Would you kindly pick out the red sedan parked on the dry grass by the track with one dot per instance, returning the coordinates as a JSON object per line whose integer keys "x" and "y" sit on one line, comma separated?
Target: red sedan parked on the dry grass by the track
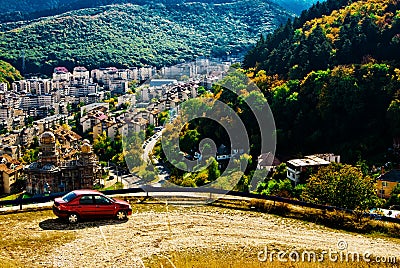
{"x": 85, "y": 204}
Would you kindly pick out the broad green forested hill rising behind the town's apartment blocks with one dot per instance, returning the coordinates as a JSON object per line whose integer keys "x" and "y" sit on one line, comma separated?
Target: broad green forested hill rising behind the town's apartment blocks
{"x": 126, "y": 35}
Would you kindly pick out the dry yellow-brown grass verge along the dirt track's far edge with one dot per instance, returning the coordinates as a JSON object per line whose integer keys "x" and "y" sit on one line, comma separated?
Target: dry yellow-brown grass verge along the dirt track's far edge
{"x": 337, "y": 220}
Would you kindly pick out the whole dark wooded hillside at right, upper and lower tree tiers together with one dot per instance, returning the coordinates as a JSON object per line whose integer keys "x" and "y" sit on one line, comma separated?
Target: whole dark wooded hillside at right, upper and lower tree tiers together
{"x": 333, "y": 81}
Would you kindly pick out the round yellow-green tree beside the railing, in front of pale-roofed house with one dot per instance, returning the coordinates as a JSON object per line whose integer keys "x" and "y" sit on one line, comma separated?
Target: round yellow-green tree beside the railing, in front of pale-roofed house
{"x": 342, "y": 186}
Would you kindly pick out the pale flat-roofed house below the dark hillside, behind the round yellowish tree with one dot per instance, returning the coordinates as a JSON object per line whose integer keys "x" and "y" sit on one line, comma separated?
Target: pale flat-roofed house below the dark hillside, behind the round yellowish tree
{"x": 296, "y": 167}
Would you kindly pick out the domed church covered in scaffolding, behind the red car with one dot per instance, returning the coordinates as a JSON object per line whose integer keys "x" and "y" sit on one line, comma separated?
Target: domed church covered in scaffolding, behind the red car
{"x": 53, "y": 173}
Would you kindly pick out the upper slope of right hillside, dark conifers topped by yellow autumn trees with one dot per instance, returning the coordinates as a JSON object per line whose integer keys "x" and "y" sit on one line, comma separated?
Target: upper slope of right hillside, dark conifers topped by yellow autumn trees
{"x": 346, "y": 35}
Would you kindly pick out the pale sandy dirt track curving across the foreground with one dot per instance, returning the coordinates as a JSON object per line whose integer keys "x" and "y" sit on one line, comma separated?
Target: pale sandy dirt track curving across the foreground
{"x": 113, "y": 244}
